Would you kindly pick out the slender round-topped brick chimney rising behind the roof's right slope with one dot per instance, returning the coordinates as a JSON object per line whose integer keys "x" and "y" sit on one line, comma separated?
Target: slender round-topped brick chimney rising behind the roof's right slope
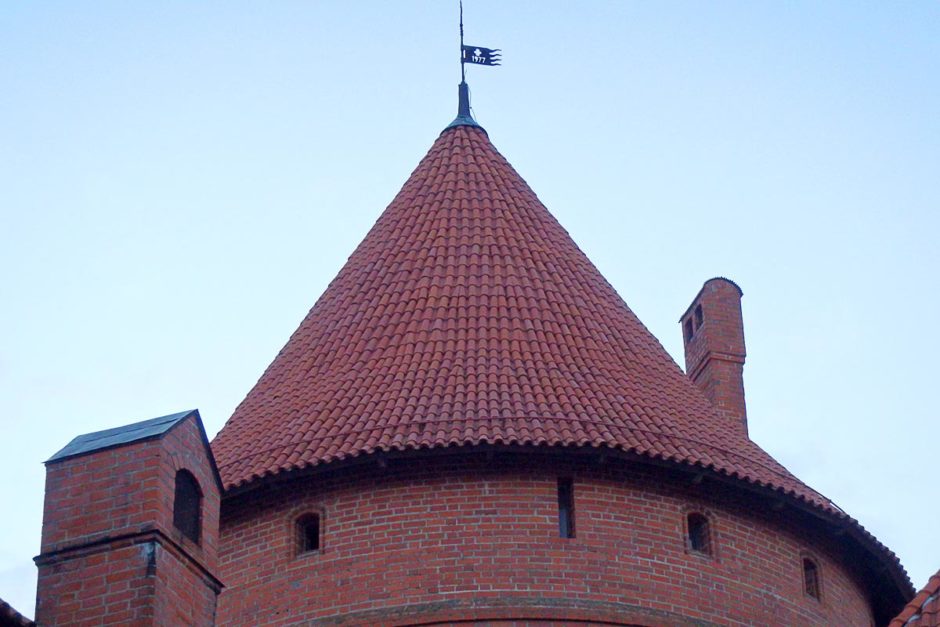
{"x": 713, "y": 334}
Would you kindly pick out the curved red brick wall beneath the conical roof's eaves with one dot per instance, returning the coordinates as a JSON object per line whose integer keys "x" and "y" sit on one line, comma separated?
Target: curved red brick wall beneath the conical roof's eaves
{"x": 457, "y": 538}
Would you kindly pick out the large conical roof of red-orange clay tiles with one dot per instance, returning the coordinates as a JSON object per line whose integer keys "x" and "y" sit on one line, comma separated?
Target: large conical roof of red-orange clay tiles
{"x": 468, "y": 315}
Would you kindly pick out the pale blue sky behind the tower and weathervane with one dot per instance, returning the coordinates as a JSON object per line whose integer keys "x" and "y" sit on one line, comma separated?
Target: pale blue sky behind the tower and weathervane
{"x": 179, "y": 181}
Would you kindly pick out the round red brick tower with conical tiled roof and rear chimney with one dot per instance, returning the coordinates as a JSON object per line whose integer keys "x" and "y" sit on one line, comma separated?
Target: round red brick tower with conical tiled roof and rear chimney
{"x": 471, "y": 425}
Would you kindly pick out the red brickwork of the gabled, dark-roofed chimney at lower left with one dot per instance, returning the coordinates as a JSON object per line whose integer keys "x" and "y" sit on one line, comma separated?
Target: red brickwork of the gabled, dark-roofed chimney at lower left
{"x": 110, "y": 553}
